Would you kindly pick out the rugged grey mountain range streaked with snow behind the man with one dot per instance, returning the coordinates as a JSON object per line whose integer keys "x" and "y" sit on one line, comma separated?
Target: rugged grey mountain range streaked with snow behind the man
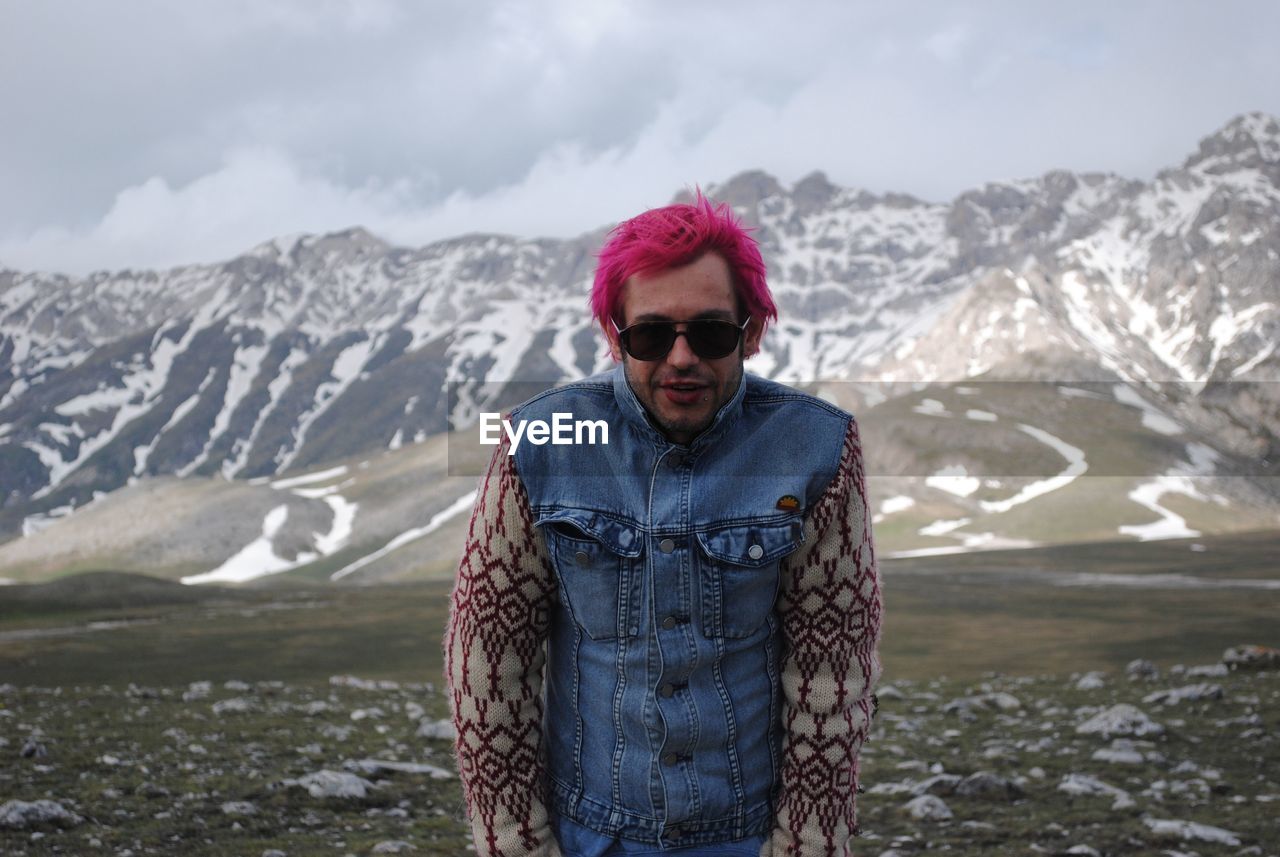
{"x": 318, "y": 350}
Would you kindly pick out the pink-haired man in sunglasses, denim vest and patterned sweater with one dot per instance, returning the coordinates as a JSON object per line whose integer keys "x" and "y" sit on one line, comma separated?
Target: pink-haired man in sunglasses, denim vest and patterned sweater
{"x": 705, "y": 586}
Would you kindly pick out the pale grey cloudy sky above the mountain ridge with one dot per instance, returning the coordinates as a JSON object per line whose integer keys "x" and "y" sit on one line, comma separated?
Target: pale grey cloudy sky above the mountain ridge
{"x": 148, "y": 134}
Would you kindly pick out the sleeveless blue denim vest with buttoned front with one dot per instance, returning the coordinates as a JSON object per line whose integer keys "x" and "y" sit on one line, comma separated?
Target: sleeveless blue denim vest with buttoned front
{"x": 662, "y": 700}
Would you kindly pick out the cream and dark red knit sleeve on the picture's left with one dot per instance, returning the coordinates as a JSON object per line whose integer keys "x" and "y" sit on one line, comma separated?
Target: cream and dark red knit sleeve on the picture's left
{"x": 500, "y": 617}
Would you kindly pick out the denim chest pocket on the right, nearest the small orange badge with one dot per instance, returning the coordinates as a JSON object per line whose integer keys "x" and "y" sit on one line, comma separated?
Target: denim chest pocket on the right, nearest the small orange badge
{"x": 740, "y": 578}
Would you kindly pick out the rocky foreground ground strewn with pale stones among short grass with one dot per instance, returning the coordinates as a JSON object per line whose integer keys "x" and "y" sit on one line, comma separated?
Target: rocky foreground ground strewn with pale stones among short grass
{"x": 1178, "y": 763}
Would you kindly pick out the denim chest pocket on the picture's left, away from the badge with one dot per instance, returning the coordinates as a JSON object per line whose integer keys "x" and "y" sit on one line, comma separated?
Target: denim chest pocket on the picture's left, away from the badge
{"x": 596, "y": 562}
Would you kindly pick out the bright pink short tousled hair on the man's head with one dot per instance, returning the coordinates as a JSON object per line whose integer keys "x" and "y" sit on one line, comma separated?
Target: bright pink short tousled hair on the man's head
{"x": 661, "y": 240}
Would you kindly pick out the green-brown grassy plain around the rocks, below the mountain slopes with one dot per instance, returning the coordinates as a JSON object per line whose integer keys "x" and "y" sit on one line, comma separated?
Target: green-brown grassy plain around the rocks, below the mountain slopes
{"x": 152, "y": 772}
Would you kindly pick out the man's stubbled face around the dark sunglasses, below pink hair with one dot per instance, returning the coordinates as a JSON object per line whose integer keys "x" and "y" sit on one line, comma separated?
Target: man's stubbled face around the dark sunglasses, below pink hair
{"x": 683, "y": 392}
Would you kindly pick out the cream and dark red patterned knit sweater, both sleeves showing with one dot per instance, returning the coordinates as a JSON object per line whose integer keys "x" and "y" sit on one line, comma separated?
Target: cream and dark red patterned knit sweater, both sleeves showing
{"x": 830, "y": 607}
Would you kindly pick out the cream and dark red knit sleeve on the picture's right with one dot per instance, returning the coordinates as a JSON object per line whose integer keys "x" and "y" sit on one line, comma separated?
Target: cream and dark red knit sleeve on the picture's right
{"x": 830, "y": 604}
